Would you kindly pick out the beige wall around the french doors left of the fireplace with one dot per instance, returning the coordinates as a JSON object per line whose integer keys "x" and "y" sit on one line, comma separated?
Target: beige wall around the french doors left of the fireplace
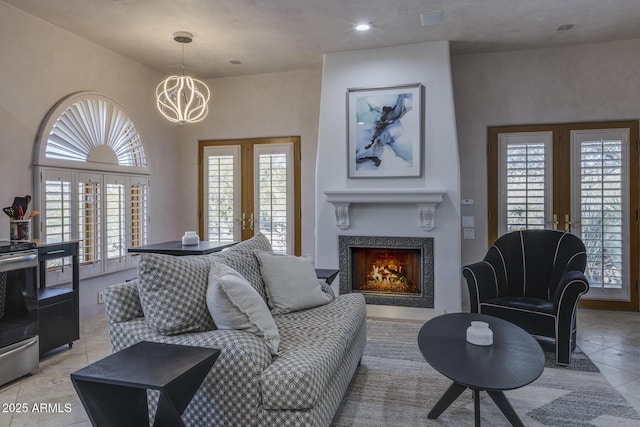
{"x": 267, "y": 105}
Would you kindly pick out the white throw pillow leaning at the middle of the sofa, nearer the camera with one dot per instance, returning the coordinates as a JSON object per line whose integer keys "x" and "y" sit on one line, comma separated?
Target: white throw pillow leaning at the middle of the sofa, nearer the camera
{"x": 235, "y": 304}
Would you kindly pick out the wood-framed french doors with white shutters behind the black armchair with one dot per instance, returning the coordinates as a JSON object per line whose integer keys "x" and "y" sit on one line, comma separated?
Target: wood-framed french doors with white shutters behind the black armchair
{"x": 581, "y": 178}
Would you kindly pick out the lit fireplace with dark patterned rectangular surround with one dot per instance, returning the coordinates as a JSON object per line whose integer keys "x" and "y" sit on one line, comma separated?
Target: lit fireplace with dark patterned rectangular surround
{"x": 388, "y": 270}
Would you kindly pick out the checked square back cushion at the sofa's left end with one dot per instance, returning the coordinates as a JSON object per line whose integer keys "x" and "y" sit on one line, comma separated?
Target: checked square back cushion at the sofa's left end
{"x": 173, "y": 292}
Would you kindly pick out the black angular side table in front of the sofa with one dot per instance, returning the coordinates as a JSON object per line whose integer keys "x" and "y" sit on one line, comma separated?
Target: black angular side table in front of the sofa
{"x": 113, "y": 390}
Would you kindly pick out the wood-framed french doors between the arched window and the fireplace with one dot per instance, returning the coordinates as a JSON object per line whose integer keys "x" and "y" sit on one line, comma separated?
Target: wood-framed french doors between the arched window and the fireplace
{"x": 251, "y": 186}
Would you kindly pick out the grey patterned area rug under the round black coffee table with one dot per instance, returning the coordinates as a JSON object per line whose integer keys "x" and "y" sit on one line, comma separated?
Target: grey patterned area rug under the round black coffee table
{"x": 394, "y": 386}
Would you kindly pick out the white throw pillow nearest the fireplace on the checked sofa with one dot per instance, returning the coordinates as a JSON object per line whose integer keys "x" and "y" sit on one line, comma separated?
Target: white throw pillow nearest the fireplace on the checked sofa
{"x": 291, "y": 283}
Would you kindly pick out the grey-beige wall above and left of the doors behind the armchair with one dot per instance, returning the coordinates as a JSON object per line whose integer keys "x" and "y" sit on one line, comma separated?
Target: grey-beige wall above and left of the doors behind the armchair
{"x": 594, "y": 82}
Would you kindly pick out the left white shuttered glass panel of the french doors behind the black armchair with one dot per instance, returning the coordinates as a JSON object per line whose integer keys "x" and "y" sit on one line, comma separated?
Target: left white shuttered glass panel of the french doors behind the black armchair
{"x": 525, "y": 181}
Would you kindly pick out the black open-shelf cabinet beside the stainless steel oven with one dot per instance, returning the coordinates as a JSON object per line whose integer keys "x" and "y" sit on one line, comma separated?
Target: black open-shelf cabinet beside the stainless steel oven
{"x": 59, "y": 306}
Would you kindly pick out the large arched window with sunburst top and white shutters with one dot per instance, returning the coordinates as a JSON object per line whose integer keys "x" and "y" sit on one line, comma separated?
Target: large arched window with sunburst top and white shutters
{"x": 92, "y": 182}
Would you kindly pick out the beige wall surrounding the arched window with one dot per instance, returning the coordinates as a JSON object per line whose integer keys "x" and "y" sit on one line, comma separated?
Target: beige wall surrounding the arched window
{"x": 39, "y": 65}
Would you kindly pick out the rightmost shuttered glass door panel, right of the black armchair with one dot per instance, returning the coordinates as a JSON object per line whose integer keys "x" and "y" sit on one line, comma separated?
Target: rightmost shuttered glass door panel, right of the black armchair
{"x": 600, "y": 183}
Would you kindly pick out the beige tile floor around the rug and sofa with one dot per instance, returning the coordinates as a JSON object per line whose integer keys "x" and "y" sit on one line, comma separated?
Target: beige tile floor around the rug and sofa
{"x": 611, "y": 339}
